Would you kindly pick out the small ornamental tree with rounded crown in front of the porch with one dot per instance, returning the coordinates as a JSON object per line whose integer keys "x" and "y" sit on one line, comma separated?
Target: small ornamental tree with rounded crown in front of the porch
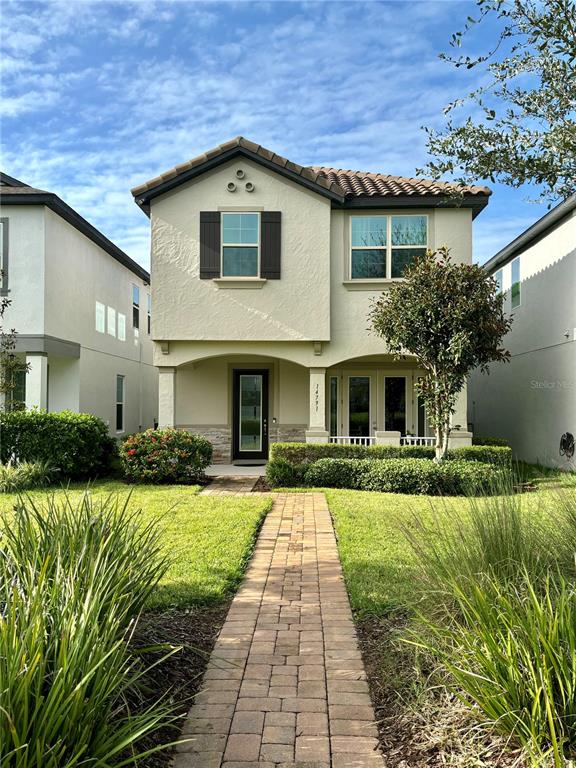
{"x": 450, "y": 318}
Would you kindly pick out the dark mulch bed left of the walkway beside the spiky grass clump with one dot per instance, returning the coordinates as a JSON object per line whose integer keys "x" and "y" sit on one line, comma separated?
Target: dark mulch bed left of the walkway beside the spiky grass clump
{"x": 180, "y": 676}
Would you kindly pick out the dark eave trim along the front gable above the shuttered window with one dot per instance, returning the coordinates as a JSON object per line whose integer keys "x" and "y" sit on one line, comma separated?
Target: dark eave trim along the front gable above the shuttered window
{"x": 143, "y": 199}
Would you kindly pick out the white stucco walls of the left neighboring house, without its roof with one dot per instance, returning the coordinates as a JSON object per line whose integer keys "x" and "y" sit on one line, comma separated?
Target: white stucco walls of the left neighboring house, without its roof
{"x": 56, "y": 276}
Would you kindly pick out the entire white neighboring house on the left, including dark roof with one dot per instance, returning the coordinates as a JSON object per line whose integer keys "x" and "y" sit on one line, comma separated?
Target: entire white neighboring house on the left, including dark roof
{"x": 81, "y": 308}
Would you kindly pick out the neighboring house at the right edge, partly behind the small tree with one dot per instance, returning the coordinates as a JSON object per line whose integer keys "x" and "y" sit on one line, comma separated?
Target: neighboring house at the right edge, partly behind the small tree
{"x": 531, "y": 401}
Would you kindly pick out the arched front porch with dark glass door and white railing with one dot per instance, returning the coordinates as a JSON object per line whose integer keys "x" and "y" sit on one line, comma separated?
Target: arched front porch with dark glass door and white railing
{"x": 242, "y": 404}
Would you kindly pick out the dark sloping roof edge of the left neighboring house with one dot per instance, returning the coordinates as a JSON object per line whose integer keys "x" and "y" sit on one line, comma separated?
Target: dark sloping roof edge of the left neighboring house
{"x": 14, "y": 192}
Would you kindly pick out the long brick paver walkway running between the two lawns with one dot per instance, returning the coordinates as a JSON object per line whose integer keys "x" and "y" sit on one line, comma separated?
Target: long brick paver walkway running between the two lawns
{"x": 285, "y": 685}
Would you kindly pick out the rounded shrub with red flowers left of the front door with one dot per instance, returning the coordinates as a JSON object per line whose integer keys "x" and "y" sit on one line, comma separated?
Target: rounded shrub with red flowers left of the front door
{"x": 165, "y": 456}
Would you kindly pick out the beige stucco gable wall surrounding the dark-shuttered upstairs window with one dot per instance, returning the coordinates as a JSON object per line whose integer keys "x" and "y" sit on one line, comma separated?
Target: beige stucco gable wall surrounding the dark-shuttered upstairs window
{"x": 189, "y": 308}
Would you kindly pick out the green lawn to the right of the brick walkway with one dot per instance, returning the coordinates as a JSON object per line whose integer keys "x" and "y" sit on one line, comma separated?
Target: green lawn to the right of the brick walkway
{"x": 379, "y": 566}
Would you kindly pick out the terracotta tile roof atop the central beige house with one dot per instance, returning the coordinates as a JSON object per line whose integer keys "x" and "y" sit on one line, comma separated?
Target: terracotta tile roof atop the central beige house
{"x": 339, "y": 183}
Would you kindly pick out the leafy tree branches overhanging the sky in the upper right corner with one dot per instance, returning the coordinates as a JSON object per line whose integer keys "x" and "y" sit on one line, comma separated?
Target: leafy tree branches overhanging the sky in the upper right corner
{"x": 522, "y": 126}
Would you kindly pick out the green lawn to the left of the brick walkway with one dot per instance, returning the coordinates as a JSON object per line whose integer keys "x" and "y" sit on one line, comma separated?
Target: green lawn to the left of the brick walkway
{"x": 208, "y": 538}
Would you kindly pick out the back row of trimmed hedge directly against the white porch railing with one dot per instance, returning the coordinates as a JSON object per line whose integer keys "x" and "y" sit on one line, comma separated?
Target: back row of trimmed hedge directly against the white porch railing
{"x": 306, "y": 453}
